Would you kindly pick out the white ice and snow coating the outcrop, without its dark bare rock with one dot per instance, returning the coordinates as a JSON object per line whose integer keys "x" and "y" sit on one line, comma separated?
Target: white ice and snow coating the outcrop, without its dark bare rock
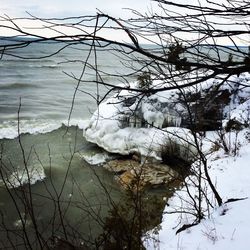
{"x": 127, "y": 122}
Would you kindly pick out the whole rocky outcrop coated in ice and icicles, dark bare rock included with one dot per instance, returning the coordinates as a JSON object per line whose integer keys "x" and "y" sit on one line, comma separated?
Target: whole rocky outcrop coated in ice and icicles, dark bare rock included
{"x": 130, "y": 122}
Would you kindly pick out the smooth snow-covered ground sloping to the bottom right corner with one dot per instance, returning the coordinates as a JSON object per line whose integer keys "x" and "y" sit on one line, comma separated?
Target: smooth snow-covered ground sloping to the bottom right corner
{"x": 228, "y": 226}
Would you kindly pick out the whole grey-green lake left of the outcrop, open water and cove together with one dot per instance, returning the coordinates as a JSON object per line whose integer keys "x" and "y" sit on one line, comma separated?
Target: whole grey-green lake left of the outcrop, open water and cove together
{"x": 48, "y": 153}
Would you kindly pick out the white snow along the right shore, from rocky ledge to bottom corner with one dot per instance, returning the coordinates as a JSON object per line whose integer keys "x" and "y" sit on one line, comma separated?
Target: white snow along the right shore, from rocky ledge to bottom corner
{"x": 226, "y": 227}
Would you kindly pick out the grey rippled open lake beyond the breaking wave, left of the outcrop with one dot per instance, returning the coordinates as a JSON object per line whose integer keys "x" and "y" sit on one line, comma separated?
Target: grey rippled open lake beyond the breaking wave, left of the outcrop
{"x": 45, "y": 89}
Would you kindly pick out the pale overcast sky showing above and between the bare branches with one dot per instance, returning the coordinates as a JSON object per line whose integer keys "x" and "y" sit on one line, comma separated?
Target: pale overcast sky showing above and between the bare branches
{"x": 69, "y": 8}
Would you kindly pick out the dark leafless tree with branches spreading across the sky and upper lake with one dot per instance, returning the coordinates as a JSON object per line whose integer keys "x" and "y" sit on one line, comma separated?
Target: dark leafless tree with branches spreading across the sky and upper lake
{"x": 186, "y": 49}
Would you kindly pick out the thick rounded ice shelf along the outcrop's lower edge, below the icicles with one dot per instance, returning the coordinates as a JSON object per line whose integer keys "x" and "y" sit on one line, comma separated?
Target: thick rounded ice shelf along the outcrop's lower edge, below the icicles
{"x": 147, "y": 142}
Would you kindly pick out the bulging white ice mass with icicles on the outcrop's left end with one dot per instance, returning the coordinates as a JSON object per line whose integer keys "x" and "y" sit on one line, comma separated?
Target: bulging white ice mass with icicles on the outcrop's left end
{"x": 106, "y": 127}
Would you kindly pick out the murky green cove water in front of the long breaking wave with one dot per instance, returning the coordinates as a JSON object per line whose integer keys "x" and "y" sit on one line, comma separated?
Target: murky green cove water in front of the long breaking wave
{"x": 58, "y": 155}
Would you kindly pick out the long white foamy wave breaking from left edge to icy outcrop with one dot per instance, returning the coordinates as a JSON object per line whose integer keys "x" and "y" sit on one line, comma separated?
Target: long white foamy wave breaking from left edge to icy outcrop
{"x": 9, "y": 129}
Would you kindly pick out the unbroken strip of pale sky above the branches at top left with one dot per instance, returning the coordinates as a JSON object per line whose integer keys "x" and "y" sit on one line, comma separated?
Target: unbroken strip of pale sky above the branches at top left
{"x": 65, "y": 8}
